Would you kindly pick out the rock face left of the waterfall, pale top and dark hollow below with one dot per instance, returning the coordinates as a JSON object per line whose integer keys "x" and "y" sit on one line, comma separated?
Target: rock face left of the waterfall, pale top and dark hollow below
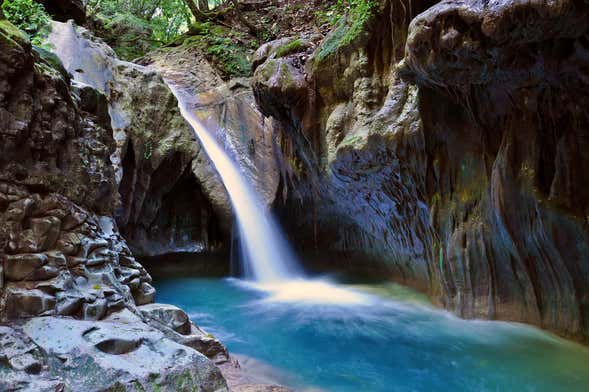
{"x": 163, "y": 205}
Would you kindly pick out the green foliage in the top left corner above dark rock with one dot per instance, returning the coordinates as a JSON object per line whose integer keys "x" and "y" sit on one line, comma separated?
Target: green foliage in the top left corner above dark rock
{"x": 28, "y": 16}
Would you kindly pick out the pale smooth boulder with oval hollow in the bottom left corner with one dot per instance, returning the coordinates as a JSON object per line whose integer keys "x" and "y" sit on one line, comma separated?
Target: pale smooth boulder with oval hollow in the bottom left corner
{"x": 120, "y": 352}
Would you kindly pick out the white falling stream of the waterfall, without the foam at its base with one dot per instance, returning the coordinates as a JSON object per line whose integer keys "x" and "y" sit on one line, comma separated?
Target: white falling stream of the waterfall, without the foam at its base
{"x": 265, "y": 255}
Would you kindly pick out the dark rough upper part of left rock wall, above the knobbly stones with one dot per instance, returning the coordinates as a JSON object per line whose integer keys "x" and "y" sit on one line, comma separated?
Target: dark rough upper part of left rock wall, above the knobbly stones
{"x": 44, "y": 143}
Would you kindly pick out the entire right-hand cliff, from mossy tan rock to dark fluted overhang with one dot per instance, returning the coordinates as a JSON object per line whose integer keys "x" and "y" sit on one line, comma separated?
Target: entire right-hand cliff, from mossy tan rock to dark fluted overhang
{"x": 461, "y": 170}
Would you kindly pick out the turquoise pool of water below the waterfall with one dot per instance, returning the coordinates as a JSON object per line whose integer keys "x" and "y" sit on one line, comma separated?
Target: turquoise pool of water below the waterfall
{"x": 394, "y": 342}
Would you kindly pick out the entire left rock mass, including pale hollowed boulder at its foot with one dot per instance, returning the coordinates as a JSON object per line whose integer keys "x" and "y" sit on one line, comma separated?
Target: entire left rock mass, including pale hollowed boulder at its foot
{"x": 72, "y": 296}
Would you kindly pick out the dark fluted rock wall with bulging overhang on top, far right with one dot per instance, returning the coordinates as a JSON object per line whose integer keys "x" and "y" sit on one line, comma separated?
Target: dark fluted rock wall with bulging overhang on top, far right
{"x": 507, "y": 156}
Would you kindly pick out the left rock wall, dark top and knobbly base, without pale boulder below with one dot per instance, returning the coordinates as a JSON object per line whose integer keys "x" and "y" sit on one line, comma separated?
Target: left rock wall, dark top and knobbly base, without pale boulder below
{"x": 58, "y": 255}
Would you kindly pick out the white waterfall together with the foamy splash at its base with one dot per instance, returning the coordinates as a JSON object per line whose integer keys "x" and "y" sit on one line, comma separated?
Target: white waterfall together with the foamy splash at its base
{"x": 266, "y": 257}
